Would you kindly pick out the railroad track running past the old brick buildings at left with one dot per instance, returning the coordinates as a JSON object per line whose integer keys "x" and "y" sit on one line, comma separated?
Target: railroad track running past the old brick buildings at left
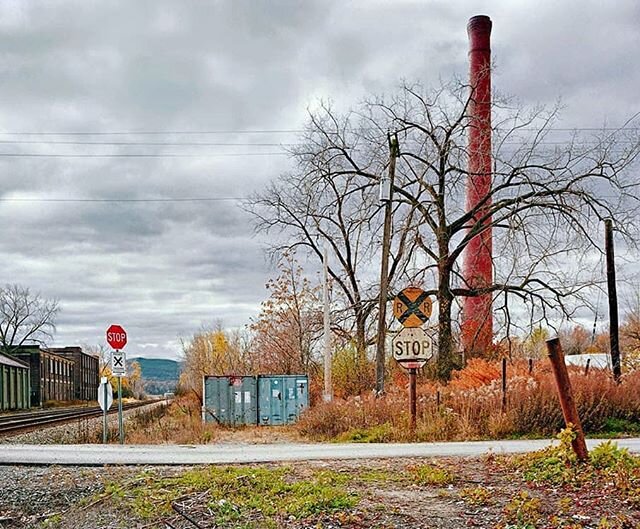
{"x": 17, "y": 422}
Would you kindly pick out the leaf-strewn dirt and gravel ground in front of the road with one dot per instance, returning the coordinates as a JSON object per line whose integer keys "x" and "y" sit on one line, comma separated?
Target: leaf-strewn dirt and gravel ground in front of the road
{"x": 479, "y": 492}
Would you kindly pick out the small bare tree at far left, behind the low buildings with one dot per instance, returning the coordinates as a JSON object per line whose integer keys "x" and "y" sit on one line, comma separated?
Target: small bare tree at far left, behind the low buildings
{"x": 25, "y": 317}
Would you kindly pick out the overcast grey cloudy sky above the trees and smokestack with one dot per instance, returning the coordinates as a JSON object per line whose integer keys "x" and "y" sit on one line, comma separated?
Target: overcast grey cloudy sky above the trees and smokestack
{"x": 163, "y": 269}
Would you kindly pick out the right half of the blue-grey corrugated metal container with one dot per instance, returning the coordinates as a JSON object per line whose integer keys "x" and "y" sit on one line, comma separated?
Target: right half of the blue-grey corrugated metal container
{"x": 282, "y": 398}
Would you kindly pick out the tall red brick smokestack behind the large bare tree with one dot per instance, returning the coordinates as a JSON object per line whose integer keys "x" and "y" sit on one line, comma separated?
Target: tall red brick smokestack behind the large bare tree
{"x": 477, "y": 317}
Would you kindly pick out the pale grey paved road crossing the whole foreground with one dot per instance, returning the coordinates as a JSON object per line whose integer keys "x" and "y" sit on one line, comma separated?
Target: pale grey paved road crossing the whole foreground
{"x": 88, "y": 455}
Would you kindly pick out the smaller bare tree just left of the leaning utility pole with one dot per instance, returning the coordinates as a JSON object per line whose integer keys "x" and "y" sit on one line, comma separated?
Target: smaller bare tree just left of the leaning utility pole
{"x": 324, "y": 203}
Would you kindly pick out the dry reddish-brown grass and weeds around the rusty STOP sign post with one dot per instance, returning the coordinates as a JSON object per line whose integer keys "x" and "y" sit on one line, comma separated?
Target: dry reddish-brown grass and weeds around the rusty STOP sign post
{"x": 471, "y": 407}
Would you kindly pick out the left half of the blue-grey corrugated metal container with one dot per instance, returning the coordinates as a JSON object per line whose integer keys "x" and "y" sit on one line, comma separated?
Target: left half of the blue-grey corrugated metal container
{"x": 230, "y": 400}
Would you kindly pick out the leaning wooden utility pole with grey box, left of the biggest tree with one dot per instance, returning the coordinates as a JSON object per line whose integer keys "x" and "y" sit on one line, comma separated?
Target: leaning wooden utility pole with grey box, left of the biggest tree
{"x": 386, "y": 196}
